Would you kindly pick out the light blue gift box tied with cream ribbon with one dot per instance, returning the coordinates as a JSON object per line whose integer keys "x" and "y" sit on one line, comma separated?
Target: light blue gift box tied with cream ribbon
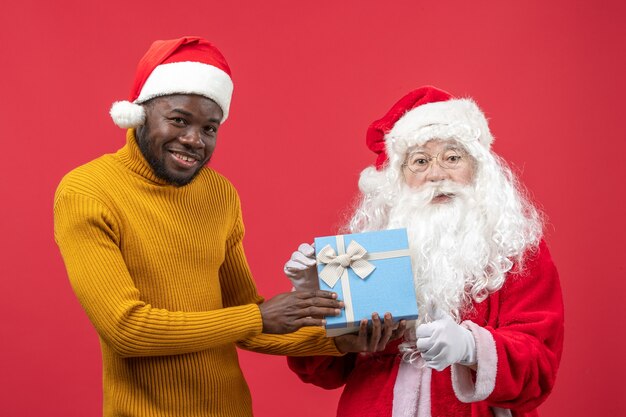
{"x": 371, "y": 272}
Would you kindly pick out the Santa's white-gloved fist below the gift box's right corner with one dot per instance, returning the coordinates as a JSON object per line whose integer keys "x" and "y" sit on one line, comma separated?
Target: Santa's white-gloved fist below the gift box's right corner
{"x": 443, "y": 342}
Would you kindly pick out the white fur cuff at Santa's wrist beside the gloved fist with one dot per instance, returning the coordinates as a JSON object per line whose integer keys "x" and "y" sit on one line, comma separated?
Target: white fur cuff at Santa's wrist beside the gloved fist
{"x": 465, "y": 389}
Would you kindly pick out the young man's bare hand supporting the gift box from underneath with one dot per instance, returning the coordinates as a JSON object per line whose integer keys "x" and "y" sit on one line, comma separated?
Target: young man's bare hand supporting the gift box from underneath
{"x": 374, "y": 341}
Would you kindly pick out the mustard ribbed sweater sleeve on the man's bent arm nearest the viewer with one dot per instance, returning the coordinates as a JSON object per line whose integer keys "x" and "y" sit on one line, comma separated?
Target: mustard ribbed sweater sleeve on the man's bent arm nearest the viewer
{"x": 88, "y": 235}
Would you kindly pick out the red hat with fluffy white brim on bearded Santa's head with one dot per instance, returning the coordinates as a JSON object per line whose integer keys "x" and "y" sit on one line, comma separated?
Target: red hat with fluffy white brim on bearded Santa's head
{"x": 424, "y": 114}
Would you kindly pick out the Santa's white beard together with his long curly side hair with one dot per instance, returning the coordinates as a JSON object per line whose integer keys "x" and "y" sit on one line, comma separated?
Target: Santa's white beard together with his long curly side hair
{"x": 462, "y": 250}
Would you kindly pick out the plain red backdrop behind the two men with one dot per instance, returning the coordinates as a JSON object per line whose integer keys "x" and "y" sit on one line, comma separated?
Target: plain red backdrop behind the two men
{"x": 309, "y": 77}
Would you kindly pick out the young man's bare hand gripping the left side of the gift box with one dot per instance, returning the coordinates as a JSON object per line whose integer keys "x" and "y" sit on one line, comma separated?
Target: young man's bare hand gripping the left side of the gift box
{"x": 286, "y": 313}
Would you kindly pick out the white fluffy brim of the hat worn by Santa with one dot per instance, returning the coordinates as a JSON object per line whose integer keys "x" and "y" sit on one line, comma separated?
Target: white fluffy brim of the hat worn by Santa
{"x": 459, "y": 119}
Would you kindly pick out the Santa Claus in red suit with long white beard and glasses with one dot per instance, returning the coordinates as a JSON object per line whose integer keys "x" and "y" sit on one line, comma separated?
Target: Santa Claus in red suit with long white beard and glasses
{"x": 489, "y": 337}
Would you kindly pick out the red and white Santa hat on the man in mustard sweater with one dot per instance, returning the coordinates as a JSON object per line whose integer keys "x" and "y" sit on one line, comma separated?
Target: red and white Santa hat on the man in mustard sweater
{"x": 188, "y": 65}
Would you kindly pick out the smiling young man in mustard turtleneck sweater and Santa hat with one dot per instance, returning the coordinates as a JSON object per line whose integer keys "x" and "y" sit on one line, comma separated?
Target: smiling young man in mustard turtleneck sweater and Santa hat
{"x": 152, "y": 242}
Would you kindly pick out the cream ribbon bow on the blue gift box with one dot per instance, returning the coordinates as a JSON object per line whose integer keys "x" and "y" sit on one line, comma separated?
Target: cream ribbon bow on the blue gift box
{"x": 355, "y": 258}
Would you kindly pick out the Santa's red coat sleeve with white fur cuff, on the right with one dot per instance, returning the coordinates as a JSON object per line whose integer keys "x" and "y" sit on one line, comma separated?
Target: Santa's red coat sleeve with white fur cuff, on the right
{"x": 519, "y": 351}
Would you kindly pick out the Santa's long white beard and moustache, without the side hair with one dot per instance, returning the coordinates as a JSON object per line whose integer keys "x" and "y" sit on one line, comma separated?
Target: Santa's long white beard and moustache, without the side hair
{"x": 448, "y": 242}
